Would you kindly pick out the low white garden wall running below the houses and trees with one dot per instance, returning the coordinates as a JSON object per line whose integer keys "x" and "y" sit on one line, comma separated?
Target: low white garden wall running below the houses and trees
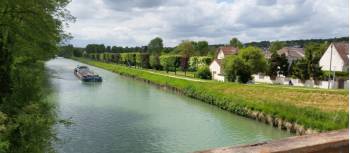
{"x": 296, "y": 82}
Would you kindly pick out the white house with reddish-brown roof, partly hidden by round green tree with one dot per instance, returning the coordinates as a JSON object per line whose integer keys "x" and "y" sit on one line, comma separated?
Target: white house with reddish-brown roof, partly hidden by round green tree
{"x": 215, "y": 66}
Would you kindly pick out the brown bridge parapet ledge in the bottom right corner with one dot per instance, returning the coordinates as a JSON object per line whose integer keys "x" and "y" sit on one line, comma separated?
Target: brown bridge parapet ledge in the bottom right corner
{"x": 329, "y": 142}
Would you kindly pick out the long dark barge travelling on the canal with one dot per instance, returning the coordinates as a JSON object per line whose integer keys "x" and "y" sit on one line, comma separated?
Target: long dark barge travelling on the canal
{"x": 86, "y": 75}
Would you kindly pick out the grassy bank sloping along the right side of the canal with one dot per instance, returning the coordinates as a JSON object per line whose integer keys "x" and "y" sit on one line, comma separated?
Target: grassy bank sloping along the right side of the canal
{"x": 319, "y": 109}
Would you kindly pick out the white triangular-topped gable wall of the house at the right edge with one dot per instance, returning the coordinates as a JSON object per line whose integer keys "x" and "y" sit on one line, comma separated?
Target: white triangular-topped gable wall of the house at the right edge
{"x": 337, "y": 61}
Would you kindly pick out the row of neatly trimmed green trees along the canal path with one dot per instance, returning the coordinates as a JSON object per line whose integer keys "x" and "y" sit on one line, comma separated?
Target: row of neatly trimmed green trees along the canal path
{"x": 164, "y": 62}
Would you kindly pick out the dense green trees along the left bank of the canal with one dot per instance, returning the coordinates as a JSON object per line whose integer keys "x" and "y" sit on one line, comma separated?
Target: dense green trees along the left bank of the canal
{"x": 30, "y": 32}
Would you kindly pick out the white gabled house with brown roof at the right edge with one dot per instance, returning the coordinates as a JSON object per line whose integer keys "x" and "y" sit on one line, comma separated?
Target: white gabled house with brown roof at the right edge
{"x": 339, "y": 53}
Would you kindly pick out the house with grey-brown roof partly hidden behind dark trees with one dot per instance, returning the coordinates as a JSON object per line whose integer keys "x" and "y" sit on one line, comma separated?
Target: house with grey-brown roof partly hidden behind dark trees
{"x": 292, "y": 53}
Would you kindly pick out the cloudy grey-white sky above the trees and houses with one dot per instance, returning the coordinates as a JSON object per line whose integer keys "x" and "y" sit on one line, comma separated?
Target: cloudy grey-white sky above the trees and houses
{"x": 136, "y": 22}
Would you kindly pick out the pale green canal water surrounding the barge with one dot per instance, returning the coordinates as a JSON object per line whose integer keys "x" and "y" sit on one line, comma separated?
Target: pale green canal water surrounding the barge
{"x": 129, "y": 116}
